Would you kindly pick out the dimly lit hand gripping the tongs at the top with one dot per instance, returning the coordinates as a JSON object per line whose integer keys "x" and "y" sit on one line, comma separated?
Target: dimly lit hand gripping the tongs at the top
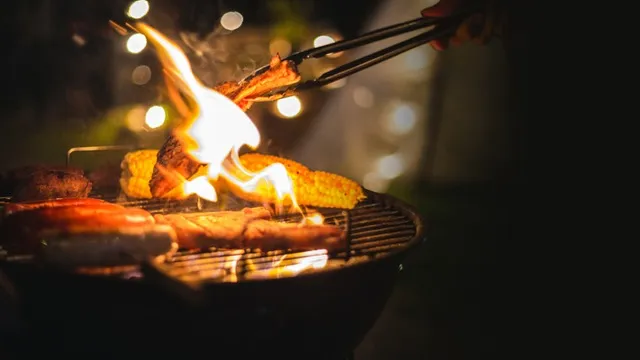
{"x": 476, "y": 27}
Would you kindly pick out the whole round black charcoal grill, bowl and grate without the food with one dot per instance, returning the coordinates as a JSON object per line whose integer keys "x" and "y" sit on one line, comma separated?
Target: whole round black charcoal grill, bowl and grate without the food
{"x": 179, "y": 308}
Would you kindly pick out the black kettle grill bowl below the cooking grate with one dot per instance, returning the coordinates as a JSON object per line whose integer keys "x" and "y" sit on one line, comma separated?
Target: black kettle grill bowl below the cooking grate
{"x": 318, "y": 315}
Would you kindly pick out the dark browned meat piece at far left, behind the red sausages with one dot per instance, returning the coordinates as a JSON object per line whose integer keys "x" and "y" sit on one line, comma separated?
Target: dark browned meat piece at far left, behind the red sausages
{"x": 41, "y": 183}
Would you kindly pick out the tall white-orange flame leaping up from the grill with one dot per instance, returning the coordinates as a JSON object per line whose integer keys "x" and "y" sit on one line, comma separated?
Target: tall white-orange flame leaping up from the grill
{"x": 217, "y": 130}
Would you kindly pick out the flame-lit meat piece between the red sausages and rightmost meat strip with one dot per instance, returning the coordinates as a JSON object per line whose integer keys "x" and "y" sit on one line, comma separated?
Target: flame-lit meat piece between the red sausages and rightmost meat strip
{"x": 216, "y": 229}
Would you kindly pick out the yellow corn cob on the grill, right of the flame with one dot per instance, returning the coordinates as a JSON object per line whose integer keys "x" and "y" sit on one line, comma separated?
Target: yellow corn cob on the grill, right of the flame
{"x": 313, "y": 188}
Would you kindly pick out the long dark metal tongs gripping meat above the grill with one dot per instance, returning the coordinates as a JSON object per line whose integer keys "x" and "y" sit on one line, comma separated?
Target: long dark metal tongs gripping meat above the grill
{"x": 442, "y": 27}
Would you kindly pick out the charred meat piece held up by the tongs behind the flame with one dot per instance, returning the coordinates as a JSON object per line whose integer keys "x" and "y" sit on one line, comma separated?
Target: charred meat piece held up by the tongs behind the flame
{"x": 174, "y": 164}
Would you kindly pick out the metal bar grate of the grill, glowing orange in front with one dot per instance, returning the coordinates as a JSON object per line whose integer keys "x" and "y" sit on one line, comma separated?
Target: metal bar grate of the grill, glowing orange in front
{"x": 373, "y": 228}
